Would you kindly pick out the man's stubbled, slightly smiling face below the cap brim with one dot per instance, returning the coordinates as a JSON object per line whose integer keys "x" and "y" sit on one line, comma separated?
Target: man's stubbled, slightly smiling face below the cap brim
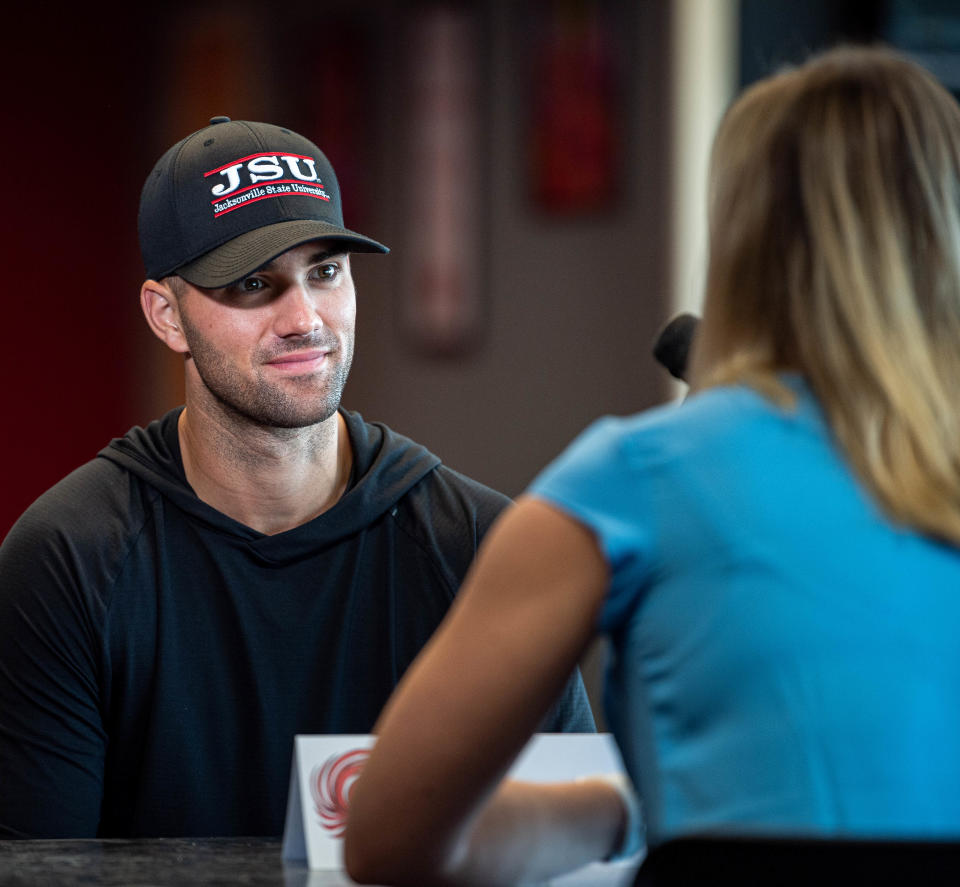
{"x": 276, "y": 347}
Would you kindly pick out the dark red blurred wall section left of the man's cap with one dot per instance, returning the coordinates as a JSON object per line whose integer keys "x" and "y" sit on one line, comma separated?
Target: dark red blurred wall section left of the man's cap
{"x": 73, "y": 108}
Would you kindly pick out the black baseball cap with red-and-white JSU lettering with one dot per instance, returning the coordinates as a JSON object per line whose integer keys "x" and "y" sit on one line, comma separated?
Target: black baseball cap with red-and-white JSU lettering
{"x": 232, "y": 196}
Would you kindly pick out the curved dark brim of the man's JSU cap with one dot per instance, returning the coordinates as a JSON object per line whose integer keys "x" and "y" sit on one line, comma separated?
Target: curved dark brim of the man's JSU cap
{"x": 246, "y": 253}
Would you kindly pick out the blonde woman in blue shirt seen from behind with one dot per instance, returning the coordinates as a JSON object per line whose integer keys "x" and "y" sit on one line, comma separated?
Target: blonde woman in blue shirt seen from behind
{"x": 776, "y": 561}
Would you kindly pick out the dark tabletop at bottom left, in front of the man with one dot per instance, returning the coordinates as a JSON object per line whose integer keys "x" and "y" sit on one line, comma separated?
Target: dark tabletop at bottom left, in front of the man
{"x": 157, "y": 862}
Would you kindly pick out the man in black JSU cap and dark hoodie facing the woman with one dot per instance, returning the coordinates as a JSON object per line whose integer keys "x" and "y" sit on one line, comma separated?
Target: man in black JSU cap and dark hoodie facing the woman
{"x": 256, "y": 564}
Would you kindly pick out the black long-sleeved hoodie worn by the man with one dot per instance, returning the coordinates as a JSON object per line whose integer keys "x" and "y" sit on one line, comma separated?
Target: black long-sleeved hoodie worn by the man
{"x": 157, "y": 657}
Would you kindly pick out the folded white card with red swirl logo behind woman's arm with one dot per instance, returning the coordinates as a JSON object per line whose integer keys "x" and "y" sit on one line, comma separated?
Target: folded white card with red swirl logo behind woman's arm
{"x": 325, "y": 767}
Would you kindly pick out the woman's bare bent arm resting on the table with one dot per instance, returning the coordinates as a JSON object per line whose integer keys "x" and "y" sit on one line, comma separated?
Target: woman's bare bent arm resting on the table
{"x": 466, "y": 708}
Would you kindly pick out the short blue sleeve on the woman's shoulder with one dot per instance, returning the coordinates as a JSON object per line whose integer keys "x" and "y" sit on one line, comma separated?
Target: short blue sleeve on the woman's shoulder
{"x": 597, "y": 481}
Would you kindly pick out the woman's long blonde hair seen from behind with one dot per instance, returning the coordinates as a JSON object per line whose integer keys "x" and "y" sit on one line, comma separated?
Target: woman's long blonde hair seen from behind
{"x": 835, "y": 252}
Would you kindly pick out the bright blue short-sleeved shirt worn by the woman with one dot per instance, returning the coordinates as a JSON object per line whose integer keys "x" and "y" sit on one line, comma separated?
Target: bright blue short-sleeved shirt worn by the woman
{"x": 784, "y": 658}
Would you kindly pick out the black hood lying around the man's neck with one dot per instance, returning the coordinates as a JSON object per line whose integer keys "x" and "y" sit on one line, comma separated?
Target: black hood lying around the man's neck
{"x": 385, "y": 466}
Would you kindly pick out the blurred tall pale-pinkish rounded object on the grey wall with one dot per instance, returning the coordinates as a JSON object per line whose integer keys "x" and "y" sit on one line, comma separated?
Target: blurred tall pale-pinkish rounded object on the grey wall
{"x": 441, "y": 301}
